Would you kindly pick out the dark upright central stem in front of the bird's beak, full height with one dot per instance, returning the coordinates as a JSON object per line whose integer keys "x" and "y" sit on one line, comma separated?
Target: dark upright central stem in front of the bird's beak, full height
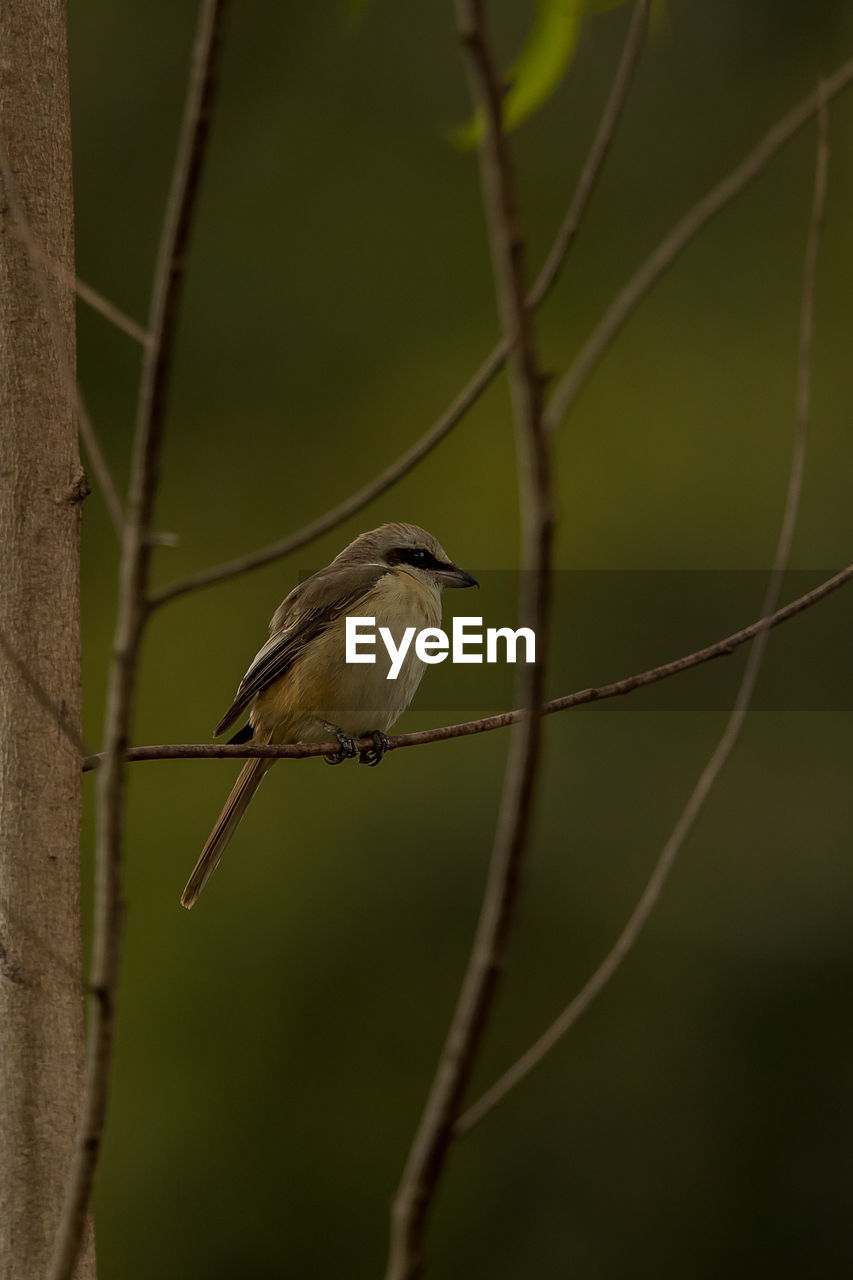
{"x": 425, "y": 1165}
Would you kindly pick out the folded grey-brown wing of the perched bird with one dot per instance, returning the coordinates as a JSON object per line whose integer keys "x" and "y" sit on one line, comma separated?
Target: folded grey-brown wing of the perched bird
{"x": 307, "y": 612}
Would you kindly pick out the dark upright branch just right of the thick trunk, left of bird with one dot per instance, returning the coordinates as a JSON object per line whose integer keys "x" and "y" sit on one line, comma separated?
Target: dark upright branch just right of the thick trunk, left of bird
{"x": 133, "y": 611}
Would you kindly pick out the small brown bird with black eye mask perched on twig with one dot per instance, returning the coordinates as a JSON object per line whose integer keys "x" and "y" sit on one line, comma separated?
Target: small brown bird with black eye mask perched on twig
{"x": 300, "y": 689}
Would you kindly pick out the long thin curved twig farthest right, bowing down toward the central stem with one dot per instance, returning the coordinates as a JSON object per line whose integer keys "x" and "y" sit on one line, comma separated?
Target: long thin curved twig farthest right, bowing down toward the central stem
{"x": 711, "y": 772}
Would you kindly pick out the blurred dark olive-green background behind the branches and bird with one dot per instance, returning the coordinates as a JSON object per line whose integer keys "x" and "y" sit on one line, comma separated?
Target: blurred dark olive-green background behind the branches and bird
{"x": 276, "y": 1045}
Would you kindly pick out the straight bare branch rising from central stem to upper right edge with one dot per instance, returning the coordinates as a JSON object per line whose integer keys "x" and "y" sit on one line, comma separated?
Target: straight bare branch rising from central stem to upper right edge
{"x": 682, "y": 235}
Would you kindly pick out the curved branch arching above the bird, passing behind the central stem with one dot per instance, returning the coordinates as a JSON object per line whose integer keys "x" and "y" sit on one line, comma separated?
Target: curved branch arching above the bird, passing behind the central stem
{"x": 489, "y": 371}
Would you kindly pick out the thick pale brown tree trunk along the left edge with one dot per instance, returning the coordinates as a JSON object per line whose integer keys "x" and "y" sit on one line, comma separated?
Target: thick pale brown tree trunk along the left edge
{"x": 42, "y": 490}
